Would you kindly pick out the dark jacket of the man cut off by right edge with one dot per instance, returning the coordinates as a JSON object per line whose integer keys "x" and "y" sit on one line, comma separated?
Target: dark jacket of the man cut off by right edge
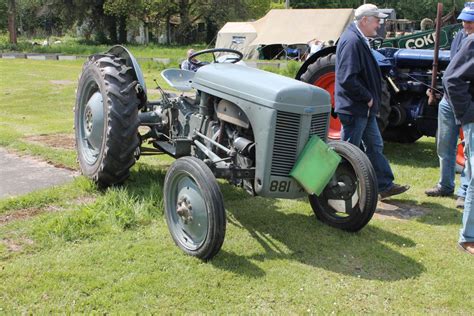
{"x": 458, "y": 82}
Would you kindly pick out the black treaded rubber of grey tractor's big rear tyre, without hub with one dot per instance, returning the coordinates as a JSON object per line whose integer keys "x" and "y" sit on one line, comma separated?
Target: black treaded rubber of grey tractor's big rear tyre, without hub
{"x": 121, "y": 115}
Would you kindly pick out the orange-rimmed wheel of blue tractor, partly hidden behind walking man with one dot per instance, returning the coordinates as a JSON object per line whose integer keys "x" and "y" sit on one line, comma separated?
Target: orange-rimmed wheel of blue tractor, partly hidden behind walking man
{"x": 322, "y": 73}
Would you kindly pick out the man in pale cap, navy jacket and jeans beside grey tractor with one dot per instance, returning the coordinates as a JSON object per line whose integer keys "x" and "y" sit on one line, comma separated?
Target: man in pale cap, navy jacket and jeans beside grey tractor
{"x": 358, "y": 93}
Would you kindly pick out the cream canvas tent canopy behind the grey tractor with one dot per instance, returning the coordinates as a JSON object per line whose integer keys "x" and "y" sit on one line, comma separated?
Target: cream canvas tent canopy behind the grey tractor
{"x": 284, "y": 27}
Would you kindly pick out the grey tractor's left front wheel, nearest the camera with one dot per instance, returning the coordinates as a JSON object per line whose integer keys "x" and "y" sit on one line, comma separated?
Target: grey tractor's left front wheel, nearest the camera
{"x": 194, "y": 208}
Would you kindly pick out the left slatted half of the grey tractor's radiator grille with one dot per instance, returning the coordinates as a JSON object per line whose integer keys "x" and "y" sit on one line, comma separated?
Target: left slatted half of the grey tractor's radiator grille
{"x": 286, "y": 142}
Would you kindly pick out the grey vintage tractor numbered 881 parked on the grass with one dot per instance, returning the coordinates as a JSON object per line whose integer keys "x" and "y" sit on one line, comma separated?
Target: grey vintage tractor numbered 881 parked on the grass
{"x": 236, "y": 123}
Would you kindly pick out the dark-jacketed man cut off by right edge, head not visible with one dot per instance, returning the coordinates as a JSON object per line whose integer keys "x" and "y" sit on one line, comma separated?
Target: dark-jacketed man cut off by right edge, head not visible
{"x": 458, "y": 83}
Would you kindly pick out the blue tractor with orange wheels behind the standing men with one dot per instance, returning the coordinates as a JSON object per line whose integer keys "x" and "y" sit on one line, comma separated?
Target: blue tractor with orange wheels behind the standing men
{"x": 405, "y": 114}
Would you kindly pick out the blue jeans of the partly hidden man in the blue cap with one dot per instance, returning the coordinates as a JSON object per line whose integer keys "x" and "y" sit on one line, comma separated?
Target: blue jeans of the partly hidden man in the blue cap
{"x": 446, "y": 143}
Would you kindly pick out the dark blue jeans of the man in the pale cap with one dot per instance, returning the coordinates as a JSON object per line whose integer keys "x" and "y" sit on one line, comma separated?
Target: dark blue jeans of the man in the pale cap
{"x": 364, "y": 130}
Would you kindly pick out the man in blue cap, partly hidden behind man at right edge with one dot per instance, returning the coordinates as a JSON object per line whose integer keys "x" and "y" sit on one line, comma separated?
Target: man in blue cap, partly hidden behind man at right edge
{"x": 448, "y": 130}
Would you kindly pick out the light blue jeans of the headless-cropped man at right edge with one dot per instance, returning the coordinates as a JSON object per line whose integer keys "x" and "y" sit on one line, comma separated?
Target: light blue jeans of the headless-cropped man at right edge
{"x": 467, "y": 231}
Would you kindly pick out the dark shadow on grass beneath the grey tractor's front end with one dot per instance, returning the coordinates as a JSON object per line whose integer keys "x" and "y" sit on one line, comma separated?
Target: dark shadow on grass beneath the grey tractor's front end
{"x": 294, "y": 233}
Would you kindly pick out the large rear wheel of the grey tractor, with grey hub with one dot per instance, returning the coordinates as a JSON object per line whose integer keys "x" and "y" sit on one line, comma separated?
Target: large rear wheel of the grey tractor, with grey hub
{"x": 106, "y": 120}
